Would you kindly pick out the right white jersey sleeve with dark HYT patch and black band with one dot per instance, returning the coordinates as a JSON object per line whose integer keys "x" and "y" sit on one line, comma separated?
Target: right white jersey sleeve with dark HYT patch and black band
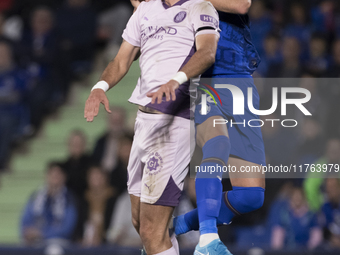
{"x": 205, "y": 19}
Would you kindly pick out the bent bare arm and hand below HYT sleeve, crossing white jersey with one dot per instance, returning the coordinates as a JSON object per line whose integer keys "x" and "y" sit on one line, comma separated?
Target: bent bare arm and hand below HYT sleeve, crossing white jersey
{"x": 204, "y": 57}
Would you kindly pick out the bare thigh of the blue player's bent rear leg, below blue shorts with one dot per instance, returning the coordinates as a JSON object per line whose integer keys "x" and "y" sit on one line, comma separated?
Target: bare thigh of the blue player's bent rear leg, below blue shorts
{"x": 247, "y": 174}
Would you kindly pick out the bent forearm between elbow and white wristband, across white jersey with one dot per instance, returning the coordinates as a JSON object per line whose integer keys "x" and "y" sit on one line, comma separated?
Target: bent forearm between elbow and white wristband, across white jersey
{"x": 199, "y": 63}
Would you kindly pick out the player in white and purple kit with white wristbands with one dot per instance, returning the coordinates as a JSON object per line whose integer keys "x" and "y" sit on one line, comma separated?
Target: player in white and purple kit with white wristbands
{"x": 177, "y": 40}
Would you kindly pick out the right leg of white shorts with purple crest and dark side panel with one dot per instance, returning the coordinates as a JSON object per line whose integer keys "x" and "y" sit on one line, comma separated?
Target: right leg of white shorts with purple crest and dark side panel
{"x": 166, "y": 162}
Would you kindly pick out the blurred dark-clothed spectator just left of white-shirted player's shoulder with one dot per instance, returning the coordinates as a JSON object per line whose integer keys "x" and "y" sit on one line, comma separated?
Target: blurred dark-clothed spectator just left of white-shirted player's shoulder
{"x": 112, "y": 21}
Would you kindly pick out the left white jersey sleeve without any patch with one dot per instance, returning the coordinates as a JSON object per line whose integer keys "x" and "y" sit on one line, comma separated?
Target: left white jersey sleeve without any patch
{"x": 132, "y": 32}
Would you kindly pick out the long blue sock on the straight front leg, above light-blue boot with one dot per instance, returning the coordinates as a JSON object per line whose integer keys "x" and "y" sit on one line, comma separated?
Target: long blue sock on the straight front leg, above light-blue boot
{"x": 208, "y": 182}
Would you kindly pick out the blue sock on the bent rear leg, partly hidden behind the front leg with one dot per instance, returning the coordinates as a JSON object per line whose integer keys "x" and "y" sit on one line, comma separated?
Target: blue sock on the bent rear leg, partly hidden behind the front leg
{"x": 241, "y": 200}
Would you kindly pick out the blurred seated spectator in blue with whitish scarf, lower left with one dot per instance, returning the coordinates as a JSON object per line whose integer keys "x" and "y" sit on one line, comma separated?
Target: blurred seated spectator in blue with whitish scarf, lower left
{"x": 51, "y": 212}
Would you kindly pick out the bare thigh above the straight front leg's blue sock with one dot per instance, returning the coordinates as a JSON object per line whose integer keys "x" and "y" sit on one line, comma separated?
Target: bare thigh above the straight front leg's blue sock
{"x": 207, "y": 130}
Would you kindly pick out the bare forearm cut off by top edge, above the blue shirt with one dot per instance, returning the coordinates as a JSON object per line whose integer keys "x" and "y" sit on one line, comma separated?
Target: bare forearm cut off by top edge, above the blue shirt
{"x": 232, "y": 6}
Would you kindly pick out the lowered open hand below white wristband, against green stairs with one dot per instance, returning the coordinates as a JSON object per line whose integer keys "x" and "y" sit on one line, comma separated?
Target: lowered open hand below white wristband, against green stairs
{"x": 92, "y": 104}
